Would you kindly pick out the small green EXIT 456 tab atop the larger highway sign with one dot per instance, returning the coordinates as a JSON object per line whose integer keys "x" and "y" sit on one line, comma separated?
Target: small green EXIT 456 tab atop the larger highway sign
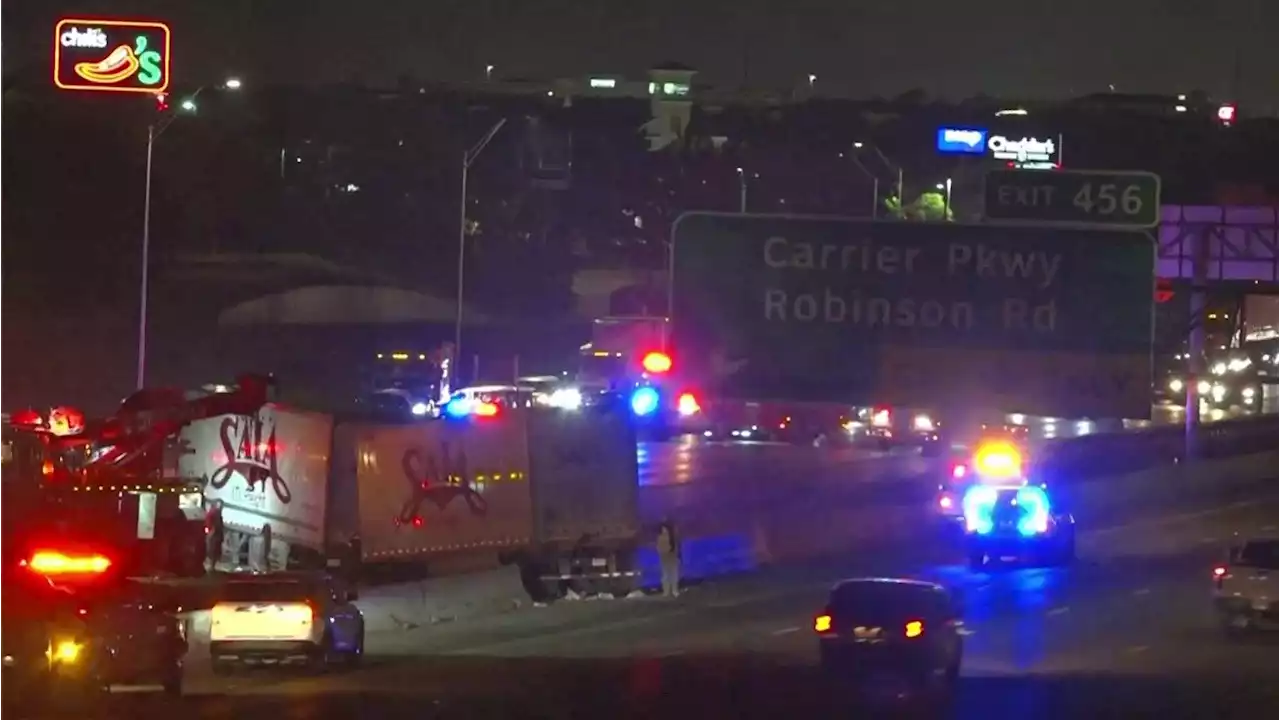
{"x": 1077, "y": 198}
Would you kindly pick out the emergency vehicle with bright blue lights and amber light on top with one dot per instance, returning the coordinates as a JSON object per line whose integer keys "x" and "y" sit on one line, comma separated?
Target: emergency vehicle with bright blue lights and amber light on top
{"x": 1009, "y": 517}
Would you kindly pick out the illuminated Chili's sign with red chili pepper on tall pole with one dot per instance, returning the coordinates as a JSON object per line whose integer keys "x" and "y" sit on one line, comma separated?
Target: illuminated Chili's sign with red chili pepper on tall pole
{"x": 112, "y": 56}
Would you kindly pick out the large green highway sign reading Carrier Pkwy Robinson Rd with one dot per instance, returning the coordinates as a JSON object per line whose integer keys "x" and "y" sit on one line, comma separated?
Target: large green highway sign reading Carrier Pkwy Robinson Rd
{"x": 1041, "y": 321}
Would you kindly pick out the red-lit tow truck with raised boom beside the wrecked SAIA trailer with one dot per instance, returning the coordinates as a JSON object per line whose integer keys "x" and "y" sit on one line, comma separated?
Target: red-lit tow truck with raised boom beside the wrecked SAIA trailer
{"x": 109, "y": 480}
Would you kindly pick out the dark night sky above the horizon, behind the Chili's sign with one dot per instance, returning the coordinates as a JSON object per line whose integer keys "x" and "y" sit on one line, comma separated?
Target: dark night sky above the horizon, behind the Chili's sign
{"x": 952, "y": 49}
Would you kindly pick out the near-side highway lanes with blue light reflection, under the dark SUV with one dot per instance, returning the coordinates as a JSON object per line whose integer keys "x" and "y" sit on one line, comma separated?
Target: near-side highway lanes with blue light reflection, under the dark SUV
{"x": 1124, "y": 634}
